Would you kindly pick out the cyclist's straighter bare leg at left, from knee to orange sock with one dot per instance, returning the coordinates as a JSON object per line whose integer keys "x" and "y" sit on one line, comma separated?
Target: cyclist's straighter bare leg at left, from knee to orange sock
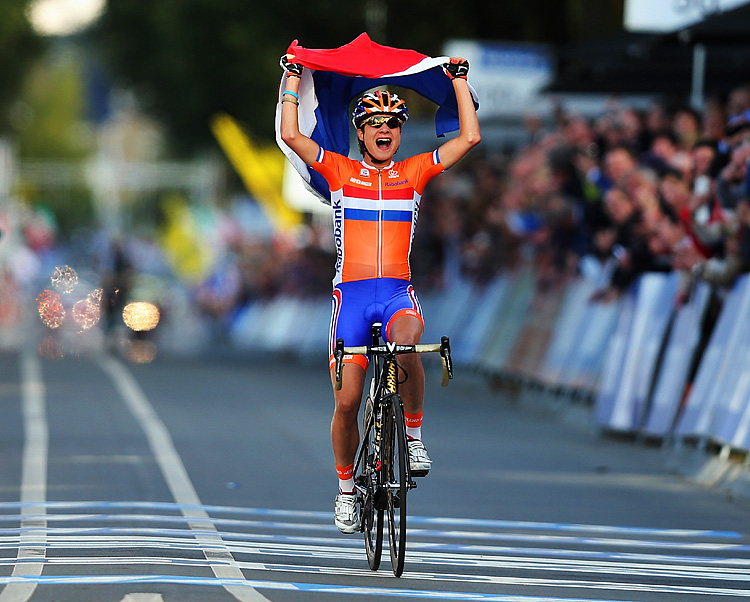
{"x": 344, "y": 425}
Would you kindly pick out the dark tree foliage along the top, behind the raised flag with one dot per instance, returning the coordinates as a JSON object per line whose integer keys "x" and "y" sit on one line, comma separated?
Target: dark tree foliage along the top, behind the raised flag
{"x": 189, "y": 59}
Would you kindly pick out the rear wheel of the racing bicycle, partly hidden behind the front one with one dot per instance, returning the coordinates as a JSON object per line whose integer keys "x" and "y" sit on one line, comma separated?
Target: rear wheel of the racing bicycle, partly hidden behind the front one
{"x": 371, "y": 517}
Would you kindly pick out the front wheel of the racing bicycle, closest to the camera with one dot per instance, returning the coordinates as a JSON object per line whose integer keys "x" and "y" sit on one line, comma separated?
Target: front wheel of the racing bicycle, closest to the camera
{"x": 397, "y": 457}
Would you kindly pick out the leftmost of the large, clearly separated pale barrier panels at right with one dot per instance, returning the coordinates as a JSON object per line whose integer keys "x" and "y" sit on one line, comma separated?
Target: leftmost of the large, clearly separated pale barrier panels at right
{"x": 644, "y": 336}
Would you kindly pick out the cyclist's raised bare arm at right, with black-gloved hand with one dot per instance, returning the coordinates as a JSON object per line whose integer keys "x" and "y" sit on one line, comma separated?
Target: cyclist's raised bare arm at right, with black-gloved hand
{"x": 469, "y": 136}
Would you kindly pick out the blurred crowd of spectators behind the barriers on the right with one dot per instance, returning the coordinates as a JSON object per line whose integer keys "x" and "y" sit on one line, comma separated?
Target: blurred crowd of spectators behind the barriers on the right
{"x": 658, "y": 189}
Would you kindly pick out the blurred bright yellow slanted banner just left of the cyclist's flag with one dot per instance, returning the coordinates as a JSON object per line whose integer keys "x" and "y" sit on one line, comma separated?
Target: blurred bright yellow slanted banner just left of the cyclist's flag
{"x": 261, "y": 170}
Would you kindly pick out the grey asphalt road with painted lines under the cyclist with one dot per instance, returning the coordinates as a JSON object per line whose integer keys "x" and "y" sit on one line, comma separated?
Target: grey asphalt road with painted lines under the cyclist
{"x": 209, "y": 479}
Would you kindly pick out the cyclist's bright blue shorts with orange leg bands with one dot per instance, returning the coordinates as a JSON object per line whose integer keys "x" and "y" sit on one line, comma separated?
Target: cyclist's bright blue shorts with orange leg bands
{"x": 358, "y": 304}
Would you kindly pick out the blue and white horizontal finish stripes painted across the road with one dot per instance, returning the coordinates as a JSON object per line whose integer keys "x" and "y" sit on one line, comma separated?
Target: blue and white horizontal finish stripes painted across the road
{"x": 428, "y": 561}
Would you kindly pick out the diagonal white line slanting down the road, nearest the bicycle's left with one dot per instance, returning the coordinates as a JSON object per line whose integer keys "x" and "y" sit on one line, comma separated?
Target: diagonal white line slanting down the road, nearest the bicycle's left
{"x": 215, "y": 550}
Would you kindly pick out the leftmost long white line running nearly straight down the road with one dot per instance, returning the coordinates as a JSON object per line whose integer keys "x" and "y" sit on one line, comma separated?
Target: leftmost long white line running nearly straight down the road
{"x": 31, "y": 547}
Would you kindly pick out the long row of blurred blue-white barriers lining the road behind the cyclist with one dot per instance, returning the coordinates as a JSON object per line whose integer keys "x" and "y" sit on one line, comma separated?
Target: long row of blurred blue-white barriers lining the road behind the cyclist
{"x": 632, "y": 358}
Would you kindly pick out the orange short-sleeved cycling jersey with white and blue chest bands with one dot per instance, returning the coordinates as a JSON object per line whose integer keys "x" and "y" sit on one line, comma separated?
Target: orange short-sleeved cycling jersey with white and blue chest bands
{"x": 375, "y": 212}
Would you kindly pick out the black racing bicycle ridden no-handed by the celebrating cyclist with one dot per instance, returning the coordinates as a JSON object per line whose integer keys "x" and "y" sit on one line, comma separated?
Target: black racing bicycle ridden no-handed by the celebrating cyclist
{"x": 381, "y": 468}
